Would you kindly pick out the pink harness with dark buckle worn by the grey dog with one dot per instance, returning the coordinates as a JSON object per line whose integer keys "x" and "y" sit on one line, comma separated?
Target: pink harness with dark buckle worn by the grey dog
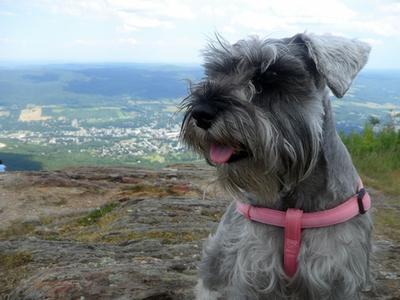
{"x": 293, "y": 220}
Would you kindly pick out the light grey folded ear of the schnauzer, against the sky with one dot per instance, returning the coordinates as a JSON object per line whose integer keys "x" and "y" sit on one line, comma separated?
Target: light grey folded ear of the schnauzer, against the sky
{"x": 337, "y": 59}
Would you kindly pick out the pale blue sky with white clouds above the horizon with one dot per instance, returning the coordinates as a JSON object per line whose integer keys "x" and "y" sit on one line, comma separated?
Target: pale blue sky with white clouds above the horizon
{"x": 173, "y": 31}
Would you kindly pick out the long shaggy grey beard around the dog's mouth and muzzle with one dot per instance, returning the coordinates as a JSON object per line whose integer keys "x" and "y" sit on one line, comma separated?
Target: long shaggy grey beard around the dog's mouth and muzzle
{"x": 252, "y": 165}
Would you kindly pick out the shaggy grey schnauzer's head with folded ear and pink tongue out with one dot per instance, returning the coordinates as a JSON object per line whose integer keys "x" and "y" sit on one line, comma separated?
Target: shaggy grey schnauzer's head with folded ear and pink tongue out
{"x": 258, "y": 114}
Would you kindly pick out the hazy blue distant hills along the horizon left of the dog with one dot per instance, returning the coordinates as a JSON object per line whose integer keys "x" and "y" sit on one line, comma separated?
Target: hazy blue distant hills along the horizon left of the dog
{"x": 90, "y": 84}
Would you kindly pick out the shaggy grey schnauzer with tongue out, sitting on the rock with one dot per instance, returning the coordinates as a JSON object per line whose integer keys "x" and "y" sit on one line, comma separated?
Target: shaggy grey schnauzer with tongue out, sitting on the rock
{"x": 262, "y": 116}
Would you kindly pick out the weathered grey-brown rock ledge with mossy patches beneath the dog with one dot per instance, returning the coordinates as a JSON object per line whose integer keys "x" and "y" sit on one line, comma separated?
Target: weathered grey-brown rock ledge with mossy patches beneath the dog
{"x": 129, "y": 233}
